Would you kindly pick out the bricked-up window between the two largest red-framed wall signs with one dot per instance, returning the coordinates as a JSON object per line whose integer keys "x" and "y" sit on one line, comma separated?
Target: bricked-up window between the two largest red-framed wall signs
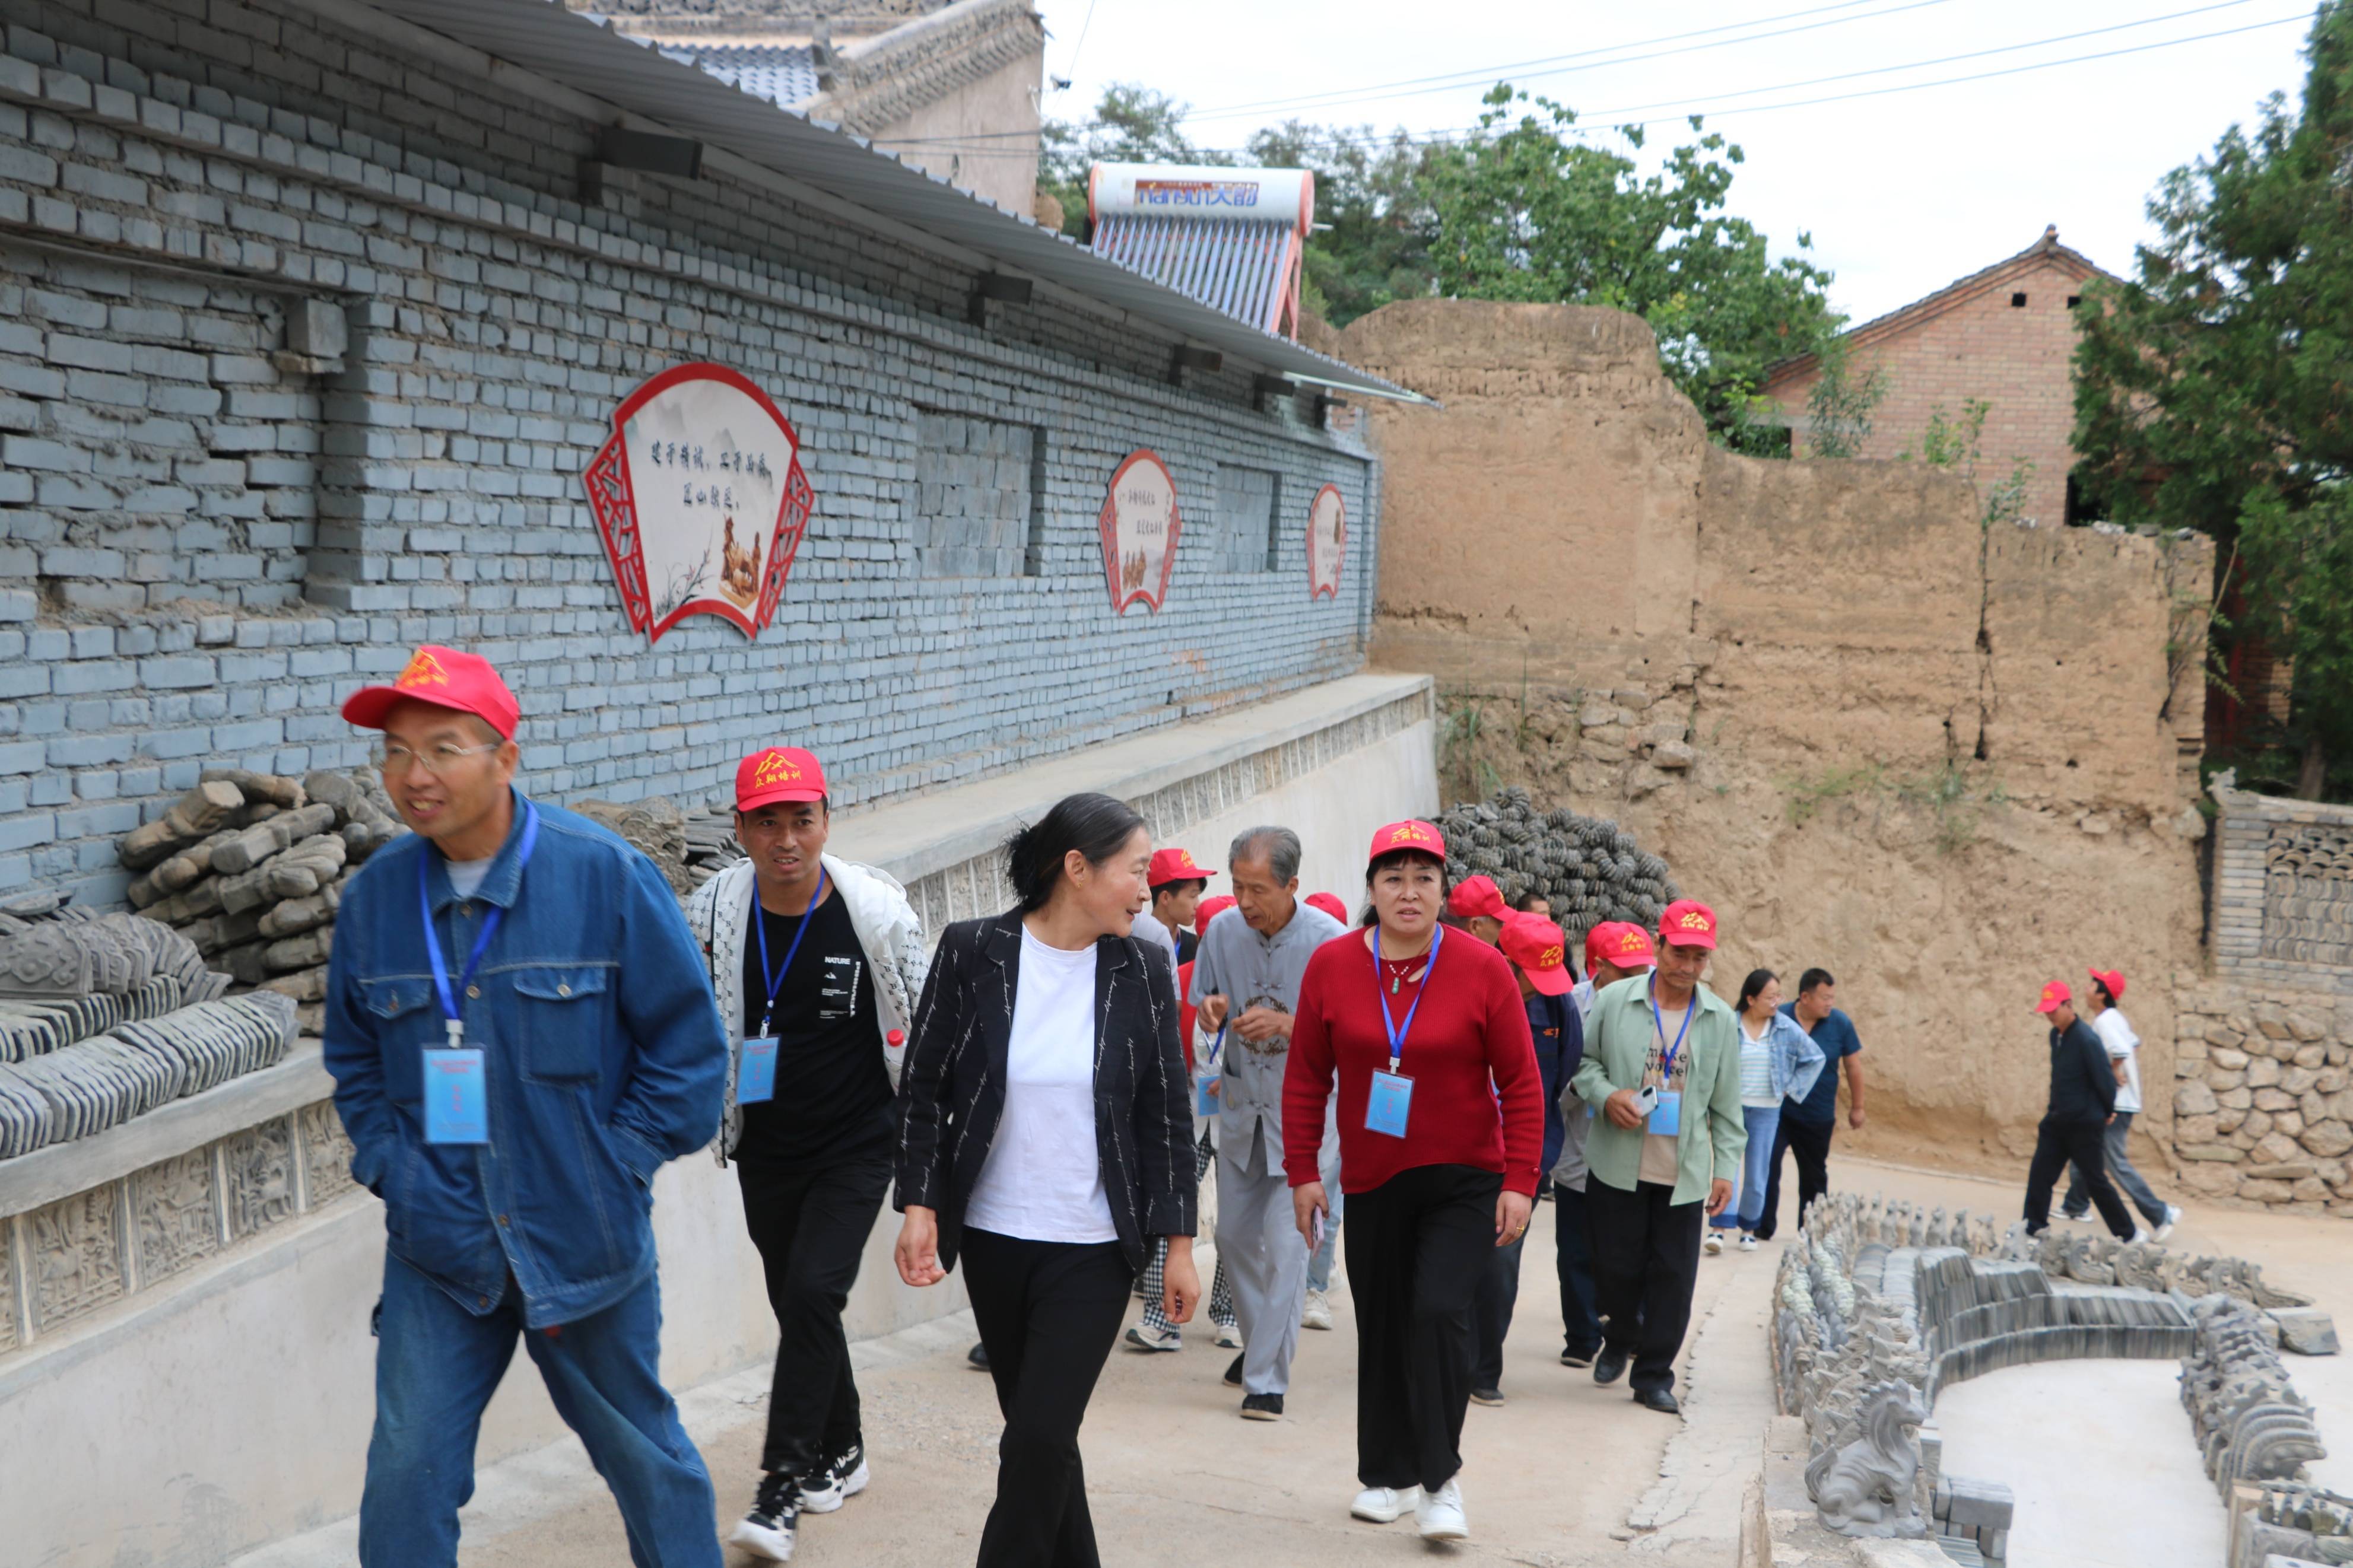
{"x": 978, "y": 497}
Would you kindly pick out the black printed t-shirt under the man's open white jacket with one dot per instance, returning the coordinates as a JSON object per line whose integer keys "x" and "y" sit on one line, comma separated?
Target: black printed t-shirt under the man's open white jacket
{"x": 834, "y": 1099}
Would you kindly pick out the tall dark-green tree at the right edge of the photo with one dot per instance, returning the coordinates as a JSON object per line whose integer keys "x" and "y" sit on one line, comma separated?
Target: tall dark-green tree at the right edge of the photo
{"x": 2215, "y": 389}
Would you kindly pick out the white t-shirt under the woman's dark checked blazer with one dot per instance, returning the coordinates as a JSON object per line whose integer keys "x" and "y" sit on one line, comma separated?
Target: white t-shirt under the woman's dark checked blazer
{"x": 1044, "y": 1179}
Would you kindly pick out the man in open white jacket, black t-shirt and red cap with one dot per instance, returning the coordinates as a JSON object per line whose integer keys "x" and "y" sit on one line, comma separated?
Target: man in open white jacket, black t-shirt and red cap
{"x": 818, "y": 967}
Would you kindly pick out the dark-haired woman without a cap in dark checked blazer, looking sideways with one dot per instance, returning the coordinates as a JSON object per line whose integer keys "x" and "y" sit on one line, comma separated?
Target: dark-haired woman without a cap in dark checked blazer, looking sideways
{"x": 1046, "y": 1137}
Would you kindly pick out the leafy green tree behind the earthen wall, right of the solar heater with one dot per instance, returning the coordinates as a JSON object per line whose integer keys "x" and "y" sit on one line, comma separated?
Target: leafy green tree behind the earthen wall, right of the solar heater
{"x": 1526, "y": 210}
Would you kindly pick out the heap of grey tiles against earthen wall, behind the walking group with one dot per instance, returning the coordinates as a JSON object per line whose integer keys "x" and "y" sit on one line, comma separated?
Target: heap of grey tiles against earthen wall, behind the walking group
{"x": 1589, "y": 869}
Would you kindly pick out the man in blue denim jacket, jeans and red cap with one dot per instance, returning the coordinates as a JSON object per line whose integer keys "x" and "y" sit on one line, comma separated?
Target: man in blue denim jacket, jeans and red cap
{"x": 585, "y": 1050}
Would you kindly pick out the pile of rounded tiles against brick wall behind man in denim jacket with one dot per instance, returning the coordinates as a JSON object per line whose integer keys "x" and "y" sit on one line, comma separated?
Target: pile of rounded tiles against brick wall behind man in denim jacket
{"x": 253, "y": 866}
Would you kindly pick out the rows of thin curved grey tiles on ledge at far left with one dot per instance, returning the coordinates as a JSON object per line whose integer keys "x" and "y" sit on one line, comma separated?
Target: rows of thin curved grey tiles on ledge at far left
{"x": 107, "y": 1017}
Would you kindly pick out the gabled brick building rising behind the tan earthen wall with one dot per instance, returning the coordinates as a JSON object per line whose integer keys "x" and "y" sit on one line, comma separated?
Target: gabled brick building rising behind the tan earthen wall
{"x": 2006, "y": 335}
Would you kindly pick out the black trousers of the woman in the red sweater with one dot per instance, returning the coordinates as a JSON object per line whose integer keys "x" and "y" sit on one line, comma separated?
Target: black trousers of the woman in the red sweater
{"x": 1418, "y": 1249}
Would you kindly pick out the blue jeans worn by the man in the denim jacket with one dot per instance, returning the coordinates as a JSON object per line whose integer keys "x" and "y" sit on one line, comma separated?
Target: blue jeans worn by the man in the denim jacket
{"x": 439, "y": 1367}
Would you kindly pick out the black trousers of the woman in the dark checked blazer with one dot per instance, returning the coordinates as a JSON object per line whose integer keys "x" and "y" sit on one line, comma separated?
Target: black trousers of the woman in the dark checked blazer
{"x": 1048, "y": 1313}
